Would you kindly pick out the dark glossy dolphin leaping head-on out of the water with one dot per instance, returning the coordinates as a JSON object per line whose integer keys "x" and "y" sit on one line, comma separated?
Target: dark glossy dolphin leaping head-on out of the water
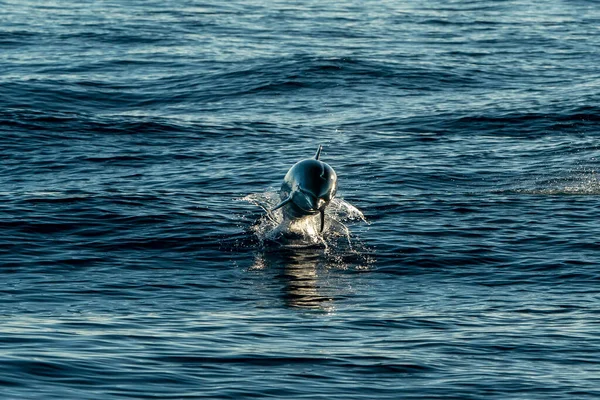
{"x": 308, "y": 187}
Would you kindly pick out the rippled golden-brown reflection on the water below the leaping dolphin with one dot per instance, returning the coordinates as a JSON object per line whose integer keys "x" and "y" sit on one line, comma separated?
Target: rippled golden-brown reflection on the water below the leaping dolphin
{"x": 299, "y": 270}
